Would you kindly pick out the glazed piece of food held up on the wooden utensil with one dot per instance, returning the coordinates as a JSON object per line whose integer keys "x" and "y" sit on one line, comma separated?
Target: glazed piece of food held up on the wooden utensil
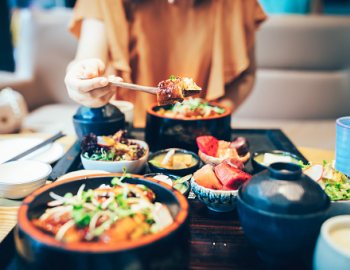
{"x": 175, "y": 89}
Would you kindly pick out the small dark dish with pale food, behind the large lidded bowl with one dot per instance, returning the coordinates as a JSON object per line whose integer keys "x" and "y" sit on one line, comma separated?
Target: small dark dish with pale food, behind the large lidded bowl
{"x": 260, "y": 166}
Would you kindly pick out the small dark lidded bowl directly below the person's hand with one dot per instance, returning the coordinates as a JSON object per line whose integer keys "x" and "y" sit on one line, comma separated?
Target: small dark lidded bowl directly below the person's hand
{"x": 105, "y": 120}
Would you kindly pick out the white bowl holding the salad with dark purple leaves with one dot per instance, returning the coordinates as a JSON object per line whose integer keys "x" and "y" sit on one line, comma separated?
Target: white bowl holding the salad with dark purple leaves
{"x": 131, "y": 166}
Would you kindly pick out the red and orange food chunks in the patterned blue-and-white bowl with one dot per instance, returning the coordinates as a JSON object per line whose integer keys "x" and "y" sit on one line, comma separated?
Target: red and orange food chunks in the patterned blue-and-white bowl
{"x": 225, "y": 176}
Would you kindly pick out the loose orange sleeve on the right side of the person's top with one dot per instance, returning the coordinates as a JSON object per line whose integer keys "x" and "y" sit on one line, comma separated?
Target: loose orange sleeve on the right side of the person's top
{"x": 234, "y": 36}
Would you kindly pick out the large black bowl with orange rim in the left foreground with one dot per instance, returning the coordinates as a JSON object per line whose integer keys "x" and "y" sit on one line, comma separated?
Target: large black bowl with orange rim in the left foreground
{"x": 167, "y": 249}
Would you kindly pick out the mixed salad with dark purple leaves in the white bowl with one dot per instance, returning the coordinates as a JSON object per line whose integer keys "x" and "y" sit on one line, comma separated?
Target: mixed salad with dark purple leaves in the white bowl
{"x": 111, "y": 148}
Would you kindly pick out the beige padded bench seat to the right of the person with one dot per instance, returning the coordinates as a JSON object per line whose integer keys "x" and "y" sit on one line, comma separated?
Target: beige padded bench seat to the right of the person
{"x": 303, "y": 78}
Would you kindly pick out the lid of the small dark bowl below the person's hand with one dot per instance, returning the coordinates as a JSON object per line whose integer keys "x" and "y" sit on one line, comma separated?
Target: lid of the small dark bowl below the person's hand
{"x": 106, "y": 113}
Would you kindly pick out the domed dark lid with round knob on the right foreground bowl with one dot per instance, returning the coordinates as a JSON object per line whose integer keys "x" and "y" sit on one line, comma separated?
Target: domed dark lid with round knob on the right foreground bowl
{"x": 284, "y": 189}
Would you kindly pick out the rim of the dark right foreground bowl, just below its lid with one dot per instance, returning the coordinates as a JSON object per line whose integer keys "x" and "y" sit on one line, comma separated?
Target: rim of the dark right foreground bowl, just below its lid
{"x": 278, "y": 215}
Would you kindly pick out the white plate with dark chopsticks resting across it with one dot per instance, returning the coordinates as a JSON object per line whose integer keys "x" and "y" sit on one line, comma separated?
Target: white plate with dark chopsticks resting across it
{"x": 10, "y": 148}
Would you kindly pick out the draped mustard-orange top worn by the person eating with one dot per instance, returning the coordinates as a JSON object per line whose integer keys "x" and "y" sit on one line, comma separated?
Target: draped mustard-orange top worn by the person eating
{"x": 153, "y": 39}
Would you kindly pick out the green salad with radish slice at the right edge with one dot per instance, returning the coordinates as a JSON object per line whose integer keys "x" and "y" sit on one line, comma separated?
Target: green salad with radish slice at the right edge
{"x": 335, "y": 183}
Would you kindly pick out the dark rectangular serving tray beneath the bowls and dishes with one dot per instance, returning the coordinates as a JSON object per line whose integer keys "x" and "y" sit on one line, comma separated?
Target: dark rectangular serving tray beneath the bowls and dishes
{"x": 217, "y": 239}
